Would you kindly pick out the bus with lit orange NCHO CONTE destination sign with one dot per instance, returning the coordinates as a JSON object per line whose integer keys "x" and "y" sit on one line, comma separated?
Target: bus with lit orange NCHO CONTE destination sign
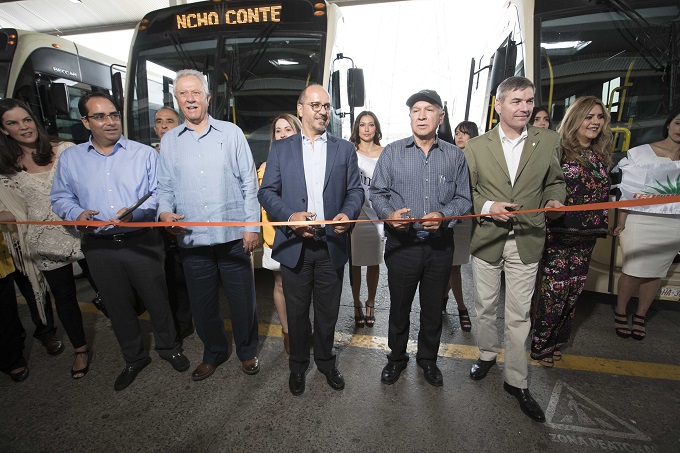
{"x": 257, "y": 57}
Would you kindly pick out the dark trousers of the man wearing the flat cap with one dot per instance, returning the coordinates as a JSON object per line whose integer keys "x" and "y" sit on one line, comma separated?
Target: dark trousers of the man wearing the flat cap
{"x": 412, "y": 263}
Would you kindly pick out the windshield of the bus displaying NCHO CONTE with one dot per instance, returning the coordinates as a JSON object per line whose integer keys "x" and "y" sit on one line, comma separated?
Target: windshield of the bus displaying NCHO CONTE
{"x": 252, "y": 79}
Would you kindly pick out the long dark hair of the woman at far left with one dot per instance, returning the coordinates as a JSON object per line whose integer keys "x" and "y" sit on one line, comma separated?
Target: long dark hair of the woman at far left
{"x": 10, "y": 151}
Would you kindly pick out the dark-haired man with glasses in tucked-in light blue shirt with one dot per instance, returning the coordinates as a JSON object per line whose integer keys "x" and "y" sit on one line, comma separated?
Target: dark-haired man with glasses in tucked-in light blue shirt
{"x": 99, "y": 179}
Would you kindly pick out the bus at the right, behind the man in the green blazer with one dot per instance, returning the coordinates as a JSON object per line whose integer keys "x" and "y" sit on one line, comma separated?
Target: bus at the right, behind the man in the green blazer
{"x": 625, "y": 52}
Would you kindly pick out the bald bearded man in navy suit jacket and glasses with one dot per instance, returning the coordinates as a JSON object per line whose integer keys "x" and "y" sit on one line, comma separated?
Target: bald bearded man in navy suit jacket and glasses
{"x": 312, "y": 176}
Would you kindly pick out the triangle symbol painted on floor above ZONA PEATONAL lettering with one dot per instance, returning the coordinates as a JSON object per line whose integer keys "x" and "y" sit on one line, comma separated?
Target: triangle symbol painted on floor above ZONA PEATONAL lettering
{"x": 570, "y": 410}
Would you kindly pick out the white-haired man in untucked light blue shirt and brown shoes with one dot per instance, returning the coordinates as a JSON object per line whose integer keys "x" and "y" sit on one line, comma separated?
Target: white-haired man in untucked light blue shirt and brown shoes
{"x": 206, "y": 173}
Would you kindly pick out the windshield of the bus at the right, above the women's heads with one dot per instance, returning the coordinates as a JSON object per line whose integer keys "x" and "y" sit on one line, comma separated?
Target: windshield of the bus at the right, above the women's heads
{"x": 621, "y": 57}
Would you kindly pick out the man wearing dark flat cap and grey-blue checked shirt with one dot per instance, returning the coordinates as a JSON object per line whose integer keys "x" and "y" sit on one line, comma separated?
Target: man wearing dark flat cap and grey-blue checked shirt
{"x": 419, "y": 177}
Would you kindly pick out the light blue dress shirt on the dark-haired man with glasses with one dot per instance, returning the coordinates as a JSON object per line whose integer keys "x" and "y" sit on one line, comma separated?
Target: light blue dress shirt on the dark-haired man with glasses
{"x": 86, "y": 179}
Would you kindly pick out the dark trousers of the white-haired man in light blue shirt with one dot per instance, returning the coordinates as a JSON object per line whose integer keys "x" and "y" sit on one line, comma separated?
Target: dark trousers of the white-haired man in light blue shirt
{"x": 204, "y": 267}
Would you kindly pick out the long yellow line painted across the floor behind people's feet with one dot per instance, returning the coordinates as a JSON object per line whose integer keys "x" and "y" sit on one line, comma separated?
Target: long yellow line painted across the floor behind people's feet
{"x": 467, "y": 352}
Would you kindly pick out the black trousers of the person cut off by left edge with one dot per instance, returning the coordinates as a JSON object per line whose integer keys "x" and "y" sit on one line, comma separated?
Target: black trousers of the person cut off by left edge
{"x": 11, "y": 338}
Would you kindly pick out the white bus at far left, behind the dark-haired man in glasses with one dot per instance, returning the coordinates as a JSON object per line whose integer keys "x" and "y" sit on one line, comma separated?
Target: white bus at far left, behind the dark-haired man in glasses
{"x": 50, "y": 74}
